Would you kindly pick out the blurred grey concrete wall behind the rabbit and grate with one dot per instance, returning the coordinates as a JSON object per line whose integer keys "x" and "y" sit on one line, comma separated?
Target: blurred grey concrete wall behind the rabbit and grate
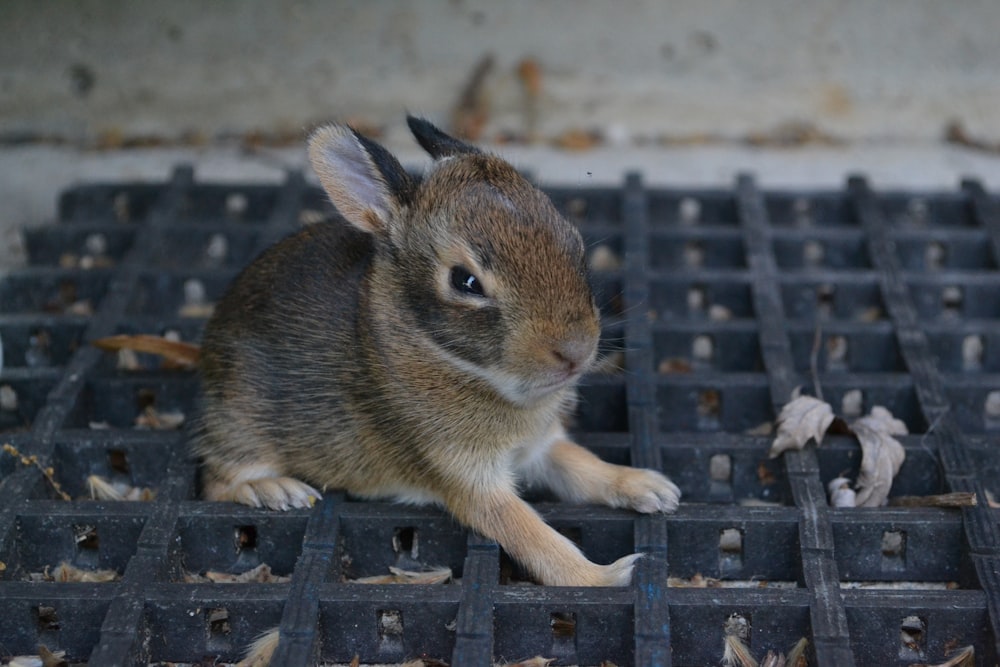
{"x": 685, "y": 70}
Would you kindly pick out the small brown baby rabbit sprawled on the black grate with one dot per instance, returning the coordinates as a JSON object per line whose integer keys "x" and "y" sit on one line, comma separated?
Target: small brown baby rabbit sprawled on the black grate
{"x": 425, "y": 350}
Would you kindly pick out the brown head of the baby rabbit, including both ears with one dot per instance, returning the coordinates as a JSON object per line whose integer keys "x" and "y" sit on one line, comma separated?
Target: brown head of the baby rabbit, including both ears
{"x": 472, "y": 259}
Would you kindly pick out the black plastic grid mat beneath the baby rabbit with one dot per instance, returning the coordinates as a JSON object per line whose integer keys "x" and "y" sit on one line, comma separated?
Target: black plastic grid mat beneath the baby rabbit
{"x": 712, "y": 300}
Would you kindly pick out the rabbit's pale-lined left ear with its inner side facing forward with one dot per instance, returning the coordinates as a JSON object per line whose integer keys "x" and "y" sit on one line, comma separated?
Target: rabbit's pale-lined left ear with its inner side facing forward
{"x": 364, "y": 181}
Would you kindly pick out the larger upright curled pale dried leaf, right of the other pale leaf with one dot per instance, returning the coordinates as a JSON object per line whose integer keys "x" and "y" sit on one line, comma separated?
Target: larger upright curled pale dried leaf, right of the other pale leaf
{"x": 881, "y": 455}
